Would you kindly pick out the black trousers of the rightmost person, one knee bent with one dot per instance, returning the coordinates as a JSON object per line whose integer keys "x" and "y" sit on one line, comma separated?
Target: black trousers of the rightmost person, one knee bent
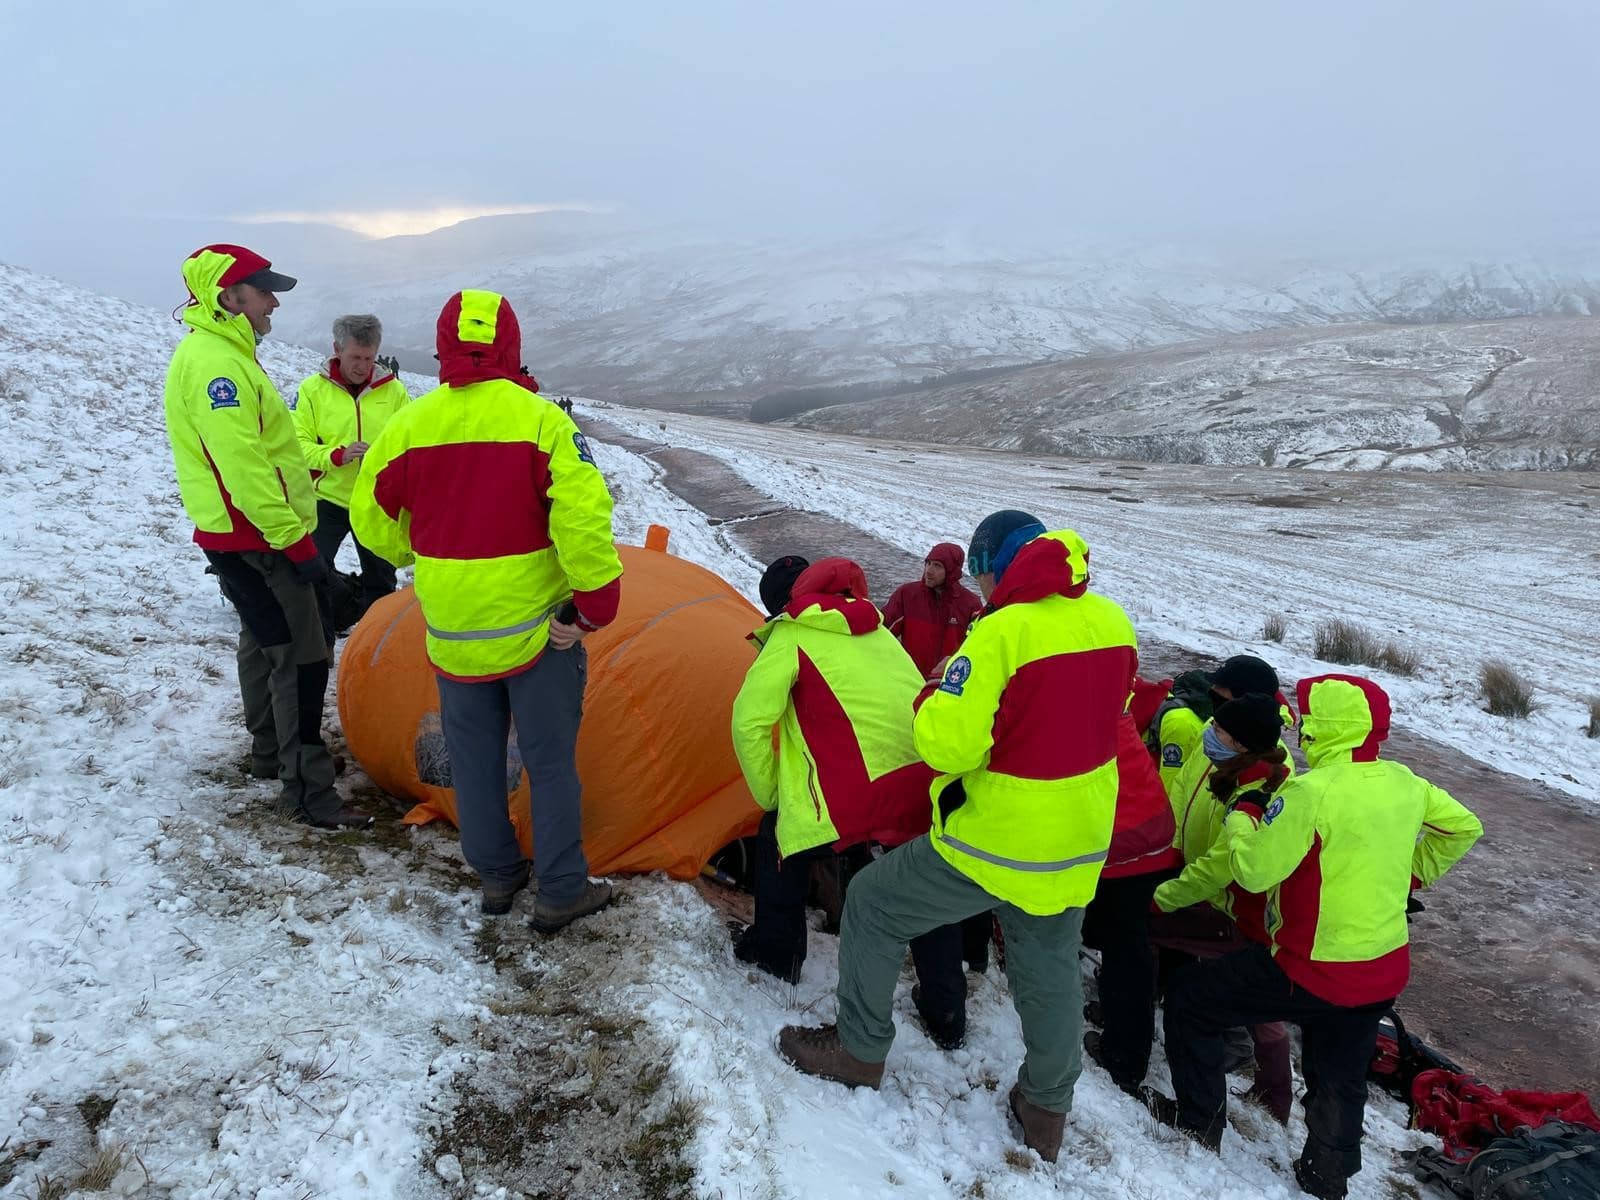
{"x": 1249, "y": 990}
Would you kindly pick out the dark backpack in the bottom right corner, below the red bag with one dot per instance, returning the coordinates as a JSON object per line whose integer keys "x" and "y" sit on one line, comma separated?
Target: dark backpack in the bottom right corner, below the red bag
{"x": 1554, "y": 1162}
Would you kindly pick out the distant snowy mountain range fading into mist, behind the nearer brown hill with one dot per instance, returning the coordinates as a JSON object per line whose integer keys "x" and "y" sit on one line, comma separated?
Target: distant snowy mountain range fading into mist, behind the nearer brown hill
{"x": 702, "y": 321}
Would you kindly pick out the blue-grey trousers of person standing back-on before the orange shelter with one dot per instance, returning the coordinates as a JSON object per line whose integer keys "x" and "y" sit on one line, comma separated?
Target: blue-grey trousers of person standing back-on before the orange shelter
{"x": 546, "y": 705}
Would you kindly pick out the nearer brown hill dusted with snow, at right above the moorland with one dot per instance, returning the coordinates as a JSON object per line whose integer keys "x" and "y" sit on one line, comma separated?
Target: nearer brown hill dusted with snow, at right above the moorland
{"x": 1510, "y": 394}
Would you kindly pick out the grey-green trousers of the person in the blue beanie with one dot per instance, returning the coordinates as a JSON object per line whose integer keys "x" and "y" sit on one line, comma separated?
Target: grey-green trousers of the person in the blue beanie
{"x": 914, "y": 890}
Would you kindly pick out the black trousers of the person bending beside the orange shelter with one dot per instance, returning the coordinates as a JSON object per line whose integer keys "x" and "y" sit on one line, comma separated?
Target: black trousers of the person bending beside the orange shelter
{"x": 778, "y": 937}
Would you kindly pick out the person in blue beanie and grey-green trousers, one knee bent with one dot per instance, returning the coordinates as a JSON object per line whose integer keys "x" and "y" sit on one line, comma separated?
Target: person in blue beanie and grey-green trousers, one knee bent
{"x": 1023, "y": 732}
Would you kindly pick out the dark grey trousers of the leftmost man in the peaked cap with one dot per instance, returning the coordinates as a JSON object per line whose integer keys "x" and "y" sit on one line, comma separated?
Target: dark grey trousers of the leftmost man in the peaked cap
{"x": 282, "y": 678}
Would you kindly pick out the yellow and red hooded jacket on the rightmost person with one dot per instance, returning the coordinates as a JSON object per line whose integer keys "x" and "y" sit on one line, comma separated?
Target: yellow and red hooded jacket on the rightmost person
{"x": 1340, "y": 849}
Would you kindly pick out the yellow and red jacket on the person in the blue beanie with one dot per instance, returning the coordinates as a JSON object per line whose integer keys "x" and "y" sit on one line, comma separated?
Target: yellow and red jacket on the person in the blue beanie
{"x": 1026, "y": 722}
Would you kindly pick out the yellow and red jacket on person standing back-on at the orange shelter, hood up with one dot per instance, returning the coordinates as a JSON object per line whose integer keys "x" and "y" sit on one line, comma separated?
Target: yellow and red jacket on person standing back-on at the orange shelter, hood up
{"x": 495, "y": 497}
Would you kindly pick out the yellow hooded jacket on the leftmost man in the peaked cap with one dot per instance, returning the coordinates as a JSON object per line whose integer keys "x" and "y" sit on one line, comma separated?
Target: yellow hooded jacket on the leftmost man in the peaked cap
{"x": 239, "y": 465}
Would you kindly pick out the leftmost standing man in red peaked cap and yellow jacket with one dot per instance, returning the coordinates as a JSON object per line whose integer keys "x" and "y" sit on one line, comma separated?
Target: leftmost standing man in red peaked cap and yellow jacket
{"x": 246, "y": 487}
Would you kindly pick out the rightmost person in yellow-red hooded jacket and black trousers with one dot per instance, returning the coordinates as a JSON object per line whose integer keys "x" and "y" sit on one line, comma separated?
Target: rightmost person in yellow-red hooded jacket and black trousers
{"x": 1338, "y": 850}
